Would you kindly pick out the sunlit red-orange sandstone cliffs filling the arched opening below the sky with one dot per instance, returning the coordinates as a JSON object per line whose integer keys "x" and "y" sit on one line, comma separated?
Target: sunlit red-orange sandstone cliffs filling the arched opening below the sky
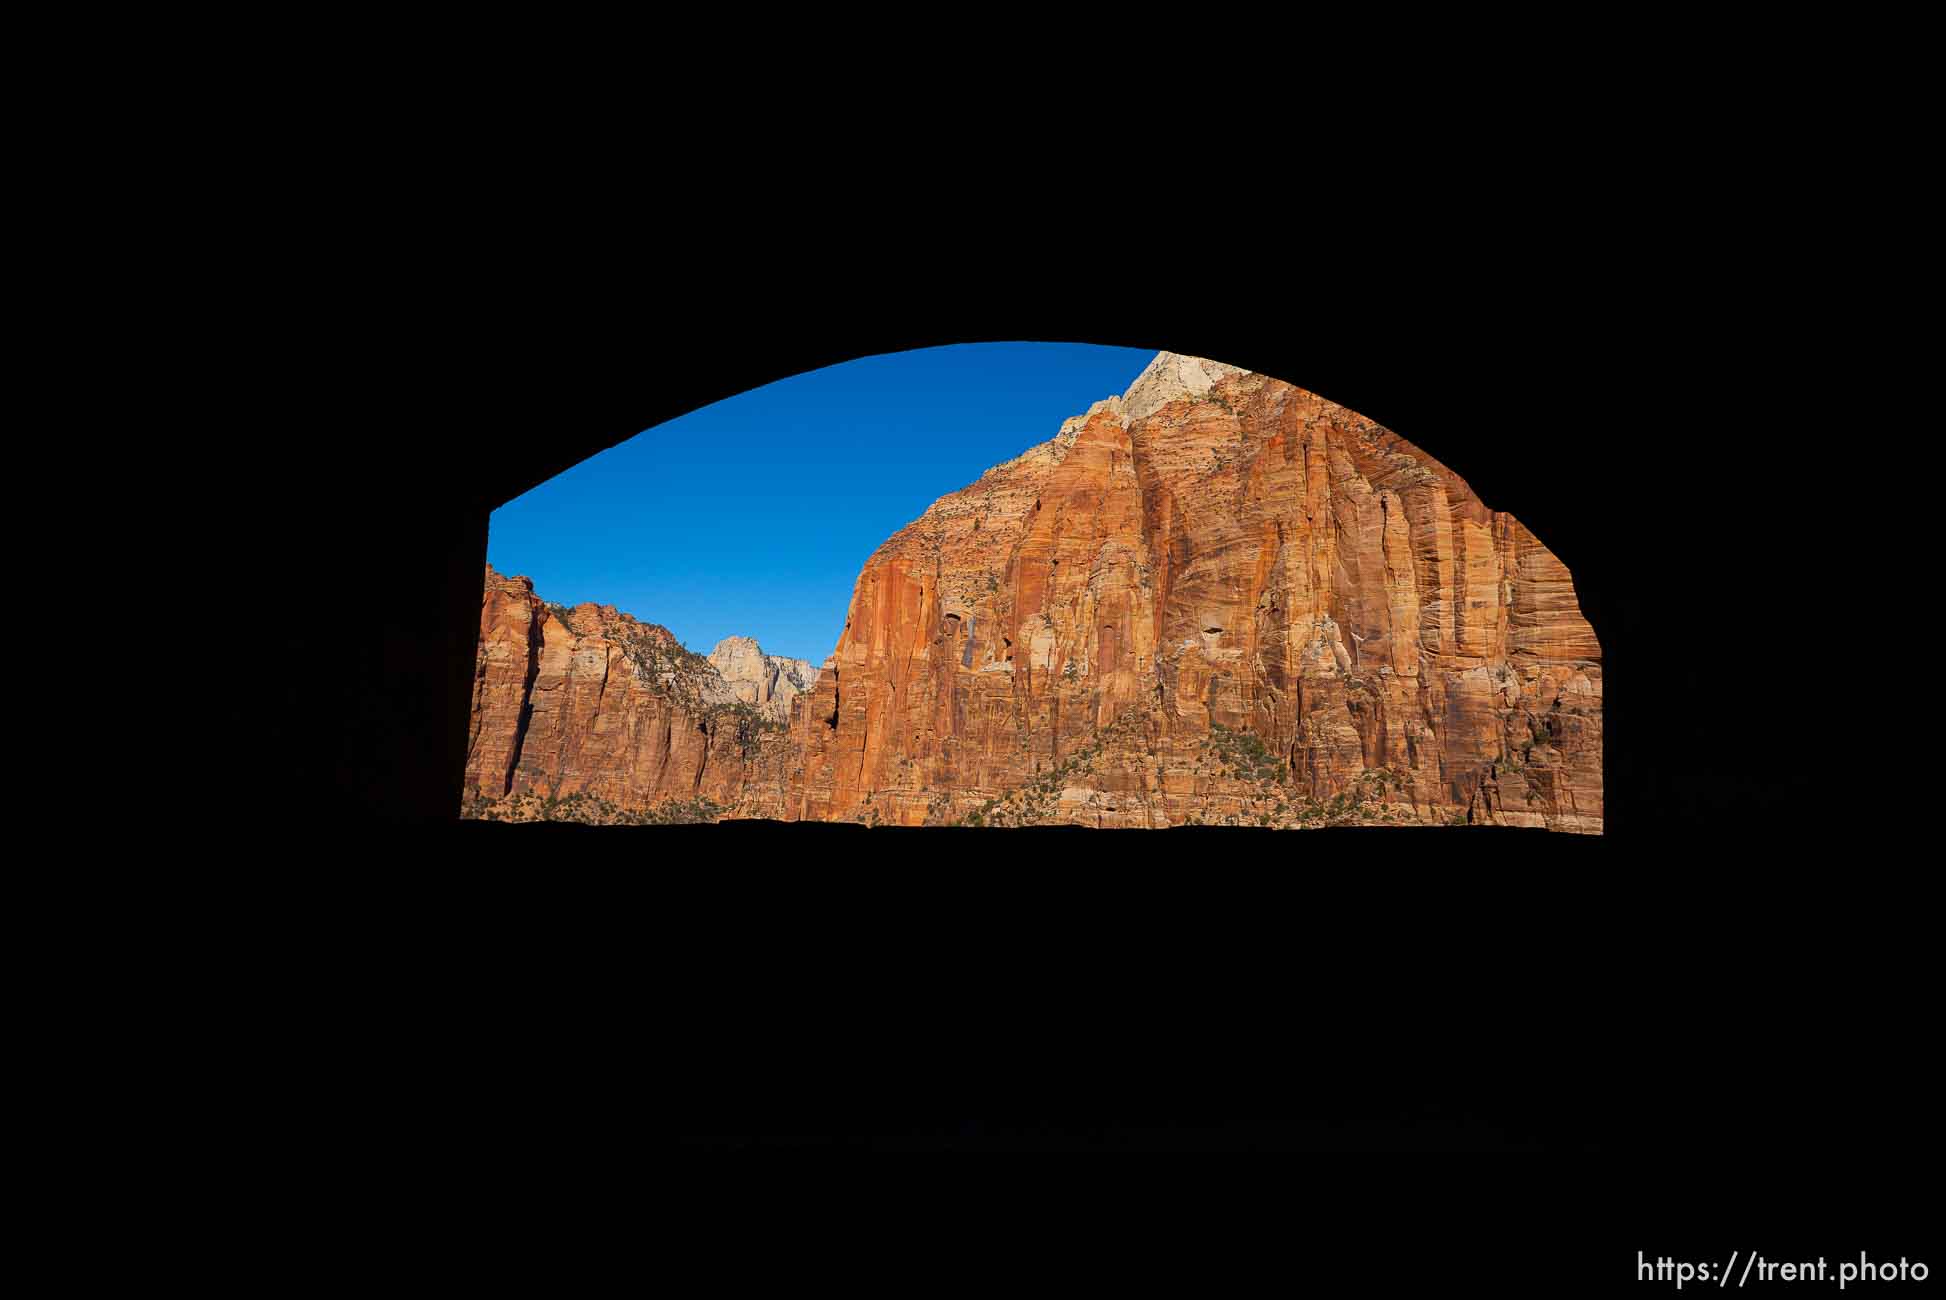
{"x": 1215, "y": 598}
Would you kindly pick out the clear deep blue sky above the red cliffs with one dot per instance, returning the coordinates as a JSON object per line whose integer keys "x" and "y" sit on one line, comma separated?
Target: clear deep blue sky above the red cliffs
{"x": 754, "y": 517}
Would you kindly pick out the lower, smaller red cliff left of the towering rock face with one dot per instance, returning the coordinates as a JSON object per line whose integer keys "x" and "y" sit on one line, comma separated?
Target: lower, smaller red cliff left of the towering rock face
{"x": 593, "y": 702}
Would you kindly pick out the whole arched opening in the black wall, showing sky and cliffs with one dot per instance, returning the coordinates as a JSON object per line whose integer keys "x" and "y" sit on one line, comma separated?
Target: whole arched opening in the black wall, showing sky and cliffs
{"x": 1451, "y": 614}
